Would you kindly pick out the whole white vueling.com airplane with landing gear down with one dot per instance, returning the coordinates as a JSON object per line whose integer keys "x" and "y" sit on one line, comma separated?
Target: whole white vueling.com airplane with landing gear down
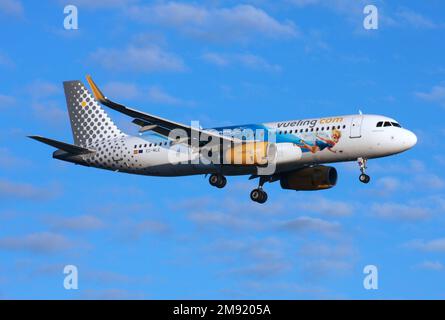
{"x": 295, "y": 152}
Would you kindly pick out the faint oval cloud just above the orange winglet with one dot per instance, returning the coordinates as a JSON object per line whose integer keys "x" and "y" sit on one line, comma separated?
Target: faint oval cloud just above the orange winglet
{"x": 138, "y": 59}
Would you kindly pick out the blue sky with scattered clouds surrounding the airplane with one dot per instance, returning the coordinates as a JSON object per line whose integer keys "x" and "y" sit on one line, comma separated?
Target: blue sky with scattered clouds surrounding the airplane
{"x": 223, "y": 63}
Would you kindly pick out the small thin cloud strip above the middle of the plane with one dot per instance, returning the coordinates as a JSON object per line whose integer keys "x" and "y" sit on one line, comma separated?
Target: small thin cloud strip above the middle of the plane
{"x": 247, "y": 60}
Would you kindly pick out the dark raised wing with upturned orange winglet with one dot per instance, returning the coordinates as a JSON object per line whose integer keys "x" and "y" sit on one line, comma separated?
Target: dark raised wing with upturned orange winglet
{"x": 154, "y": 123}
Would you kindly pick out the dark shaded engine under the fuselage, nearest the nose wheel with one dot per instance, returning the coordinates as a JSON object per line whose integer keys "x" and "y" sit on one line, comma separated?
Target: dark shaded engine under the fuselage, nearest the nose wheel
{"x": 310, "y": 178}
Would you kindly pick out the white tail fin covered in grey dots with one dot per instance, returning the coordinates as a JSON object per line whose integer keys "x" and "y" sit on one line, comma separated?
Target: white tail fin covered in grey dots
{"x": 89, "y": 122}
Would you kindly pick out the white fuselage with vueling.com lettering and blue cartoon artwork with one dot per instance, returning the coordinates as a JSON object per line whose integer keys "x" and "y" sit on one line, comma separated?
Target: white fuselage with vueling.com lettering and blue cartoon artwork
{"x": 322, "y": 140}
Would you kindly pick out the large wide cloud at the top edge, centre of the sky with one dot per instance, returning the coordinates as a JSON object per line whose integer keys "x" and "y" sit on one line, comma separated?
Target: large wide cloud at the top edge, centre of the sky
{"x": 239, "y": 23}
